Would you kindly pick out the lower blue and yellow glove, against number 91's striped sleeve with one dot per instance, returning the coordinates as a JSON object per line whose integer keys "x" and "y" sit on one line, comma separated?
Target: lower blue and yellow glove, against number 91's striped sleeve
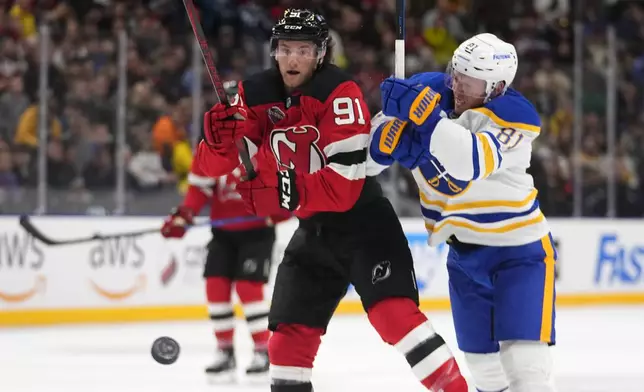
{"x": 400, "y": 141}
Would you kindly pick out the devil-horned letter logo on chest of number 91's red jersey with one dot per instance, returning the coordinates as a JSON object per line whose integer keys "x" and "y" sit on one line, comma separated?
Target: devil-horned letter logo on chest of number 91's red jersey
{"x": 296, "y": 147}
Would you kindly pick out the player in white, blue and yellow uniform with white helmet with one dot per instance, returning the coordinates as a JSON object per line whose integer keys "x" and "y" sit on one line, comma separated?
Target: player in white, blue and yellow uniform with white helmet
{"x": 467, "y": 137}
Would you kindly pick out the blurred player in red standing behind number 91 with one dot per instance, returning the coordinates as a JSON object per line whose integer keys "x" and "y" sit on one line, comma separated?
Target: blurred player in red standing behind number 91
{"x": 239, "y": 254}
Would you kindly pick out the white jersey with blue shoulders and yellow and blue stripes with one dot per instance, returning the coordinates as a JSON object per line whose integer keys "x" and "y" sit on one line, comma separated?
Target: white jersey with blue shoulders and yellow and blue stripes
{"x": 476, "y": 187}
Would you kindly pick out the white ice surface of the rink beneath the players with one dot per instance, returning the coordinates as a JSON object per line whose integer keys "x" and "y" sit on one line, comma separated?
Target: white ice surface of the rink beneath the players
{"x": 599, "y": 350}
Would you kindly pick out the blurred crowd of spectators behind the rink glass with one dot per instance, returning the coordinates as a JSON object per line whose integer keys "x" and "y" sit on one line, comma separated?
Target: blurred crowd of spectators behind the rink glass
{"x": 101, "y": 100}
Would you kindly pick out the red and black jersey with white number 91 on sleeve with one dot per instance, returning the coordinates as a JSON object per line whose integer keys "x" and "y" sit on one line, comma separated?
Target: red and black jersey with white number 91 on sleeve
{"x": 320, "y": 130}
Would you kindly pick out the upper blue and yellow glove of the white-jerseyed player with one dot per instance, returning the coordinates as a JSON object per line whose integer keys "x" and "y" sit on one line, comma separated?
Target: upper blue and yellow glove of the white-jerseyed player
{"x": 408, "y": 100}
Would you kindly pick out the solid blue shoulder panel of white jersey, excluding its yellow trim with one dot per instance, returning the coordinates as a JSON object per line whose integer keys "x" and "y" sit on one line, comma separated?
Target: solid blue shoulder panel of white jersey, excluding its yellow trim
{"x": 515, "y": 108}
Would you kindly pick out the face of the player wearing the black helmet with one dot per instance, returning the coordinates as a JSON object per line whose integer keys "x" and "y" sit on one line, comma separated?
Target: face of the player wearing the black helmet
{"x": 296, "y": 60}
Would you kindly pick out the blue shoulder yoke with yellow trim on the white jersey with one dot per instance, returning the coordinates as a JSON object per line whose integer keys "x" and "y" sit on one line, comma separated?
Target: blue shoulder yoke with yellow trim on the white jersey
{"x": 512, "y": 110}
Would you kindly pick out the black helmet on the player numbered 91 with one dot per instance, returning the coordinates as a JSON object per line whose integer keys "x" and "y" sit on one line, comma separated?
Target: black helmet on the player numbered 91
{"x": 301, "y": 25}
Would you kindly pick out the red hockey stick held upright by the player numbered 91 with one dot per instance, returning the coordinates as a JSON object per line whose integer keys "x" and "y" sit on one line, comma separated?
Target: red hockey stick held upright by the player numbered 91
{"x": 216, "y": 80}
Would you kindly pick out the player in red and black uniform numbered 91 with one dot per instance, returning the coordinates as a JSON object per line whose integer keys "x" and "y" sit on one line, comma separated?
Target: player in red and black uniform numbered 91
{"x": 307, "y": 125}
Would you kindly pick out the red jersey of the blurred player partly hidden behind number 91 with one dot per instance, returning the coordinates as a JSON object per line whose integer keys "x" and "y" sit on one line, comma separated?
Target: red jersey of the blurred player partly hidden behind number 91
{"x": 225, "y": 202}
